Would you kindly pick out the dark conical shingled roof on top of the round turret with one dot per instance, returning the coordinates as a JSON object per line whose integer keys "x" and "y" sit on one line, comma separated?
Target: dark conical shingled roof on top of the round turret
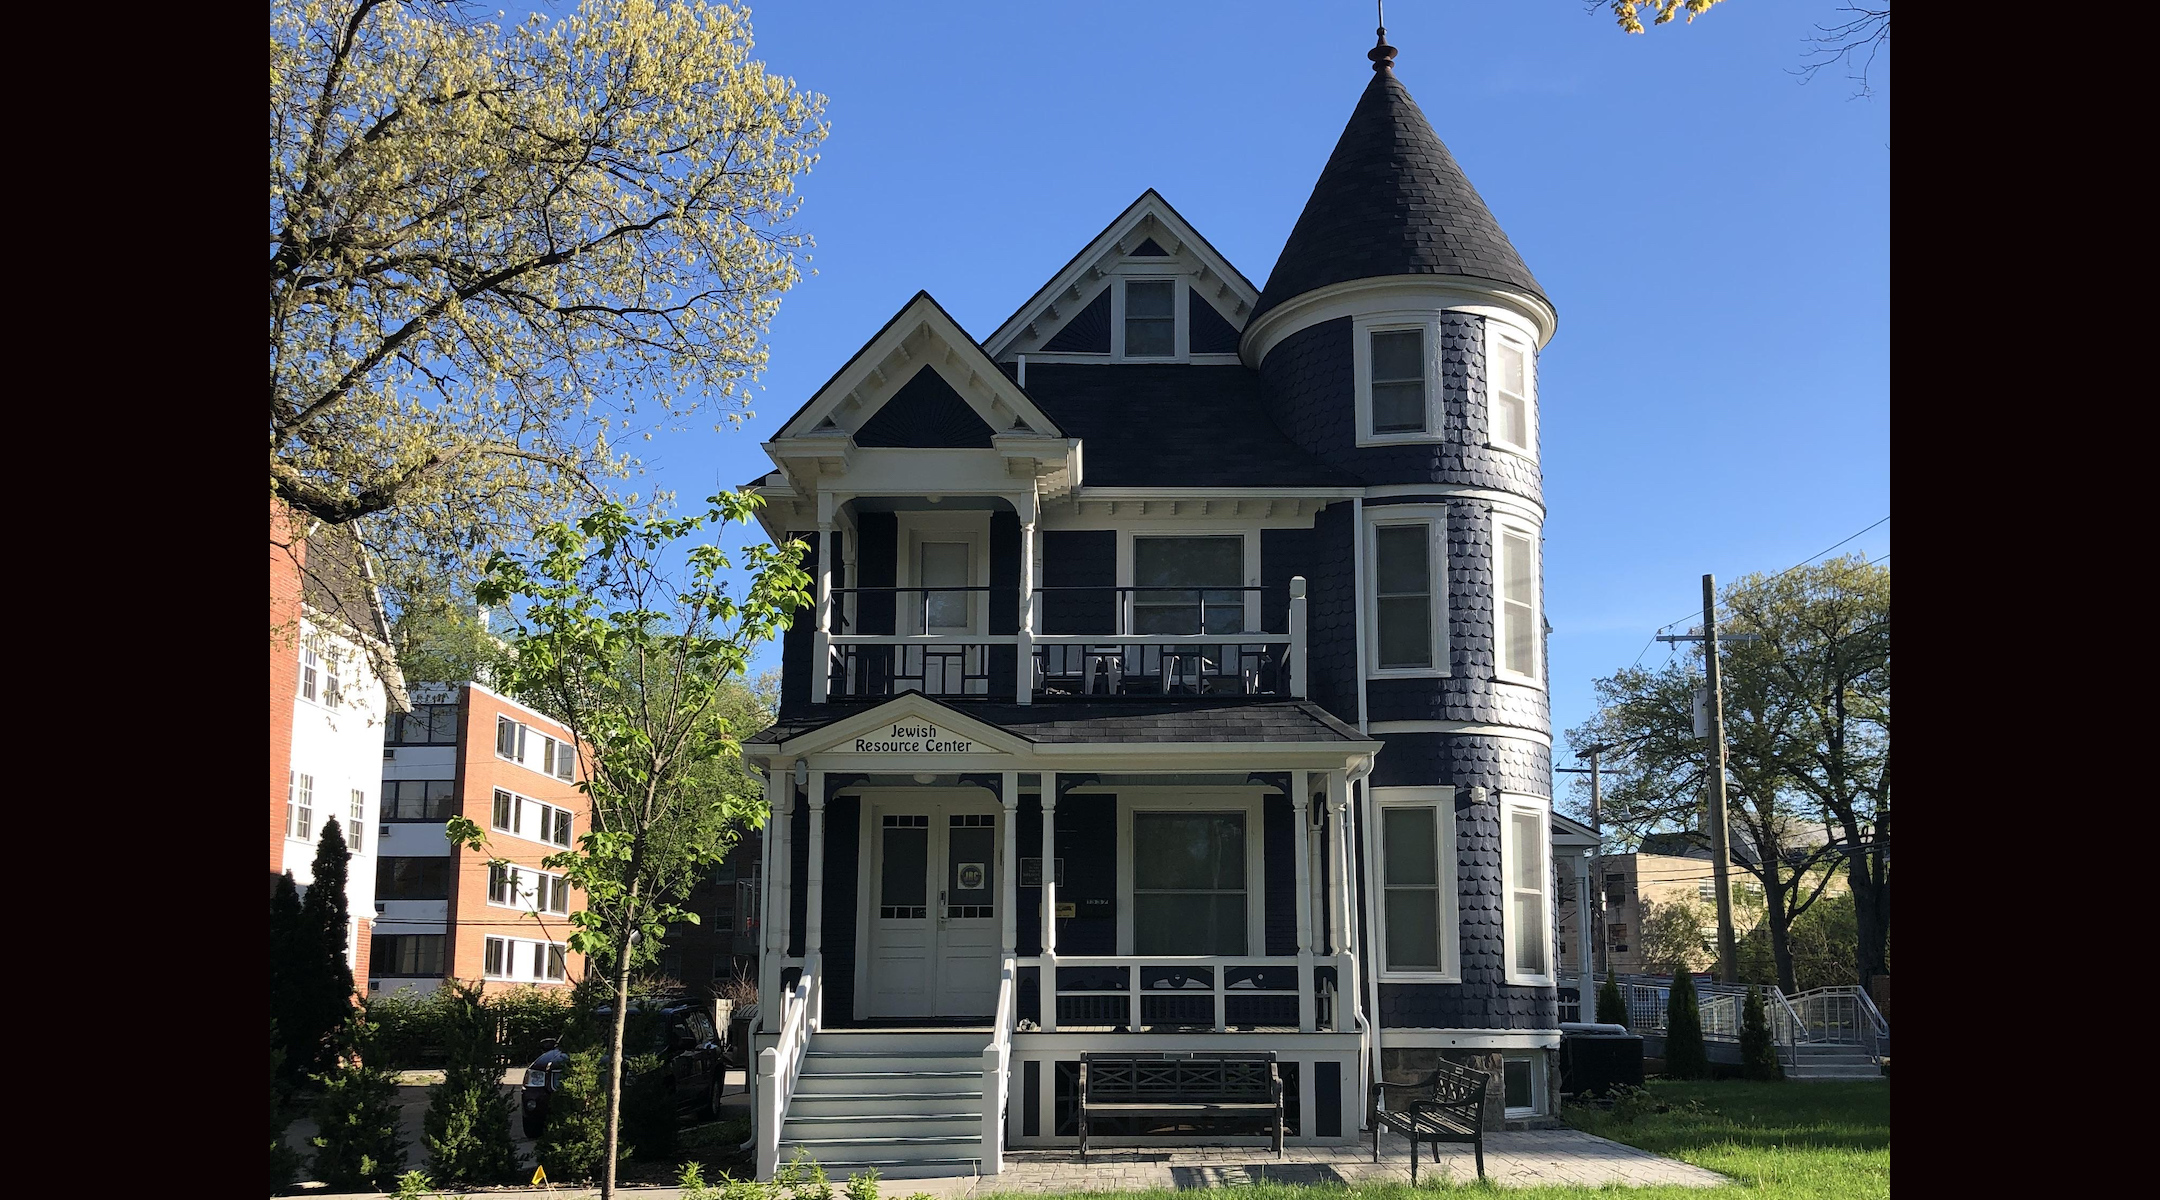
{"x": 1392, "y": 202}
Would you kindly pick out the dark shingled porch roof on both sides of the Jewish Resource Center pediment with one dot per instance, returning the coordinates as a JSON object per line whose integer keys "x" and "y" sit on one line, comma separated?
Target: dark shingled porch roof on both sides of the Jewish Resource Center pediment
{"x": 1228, "y": 720}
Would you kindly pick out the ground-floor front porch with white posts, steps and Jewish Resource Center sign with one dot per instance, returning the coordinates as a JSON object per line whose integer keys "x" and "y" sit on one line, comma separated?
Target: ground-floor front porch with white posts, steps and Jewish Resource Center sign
{"x": 977, "y": 895}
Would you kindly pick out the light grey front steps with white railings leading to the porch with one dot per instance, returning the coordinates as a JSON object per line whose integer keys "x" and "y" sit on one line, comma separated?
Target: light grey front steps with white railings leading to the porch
{"x": 904, "y": 1104}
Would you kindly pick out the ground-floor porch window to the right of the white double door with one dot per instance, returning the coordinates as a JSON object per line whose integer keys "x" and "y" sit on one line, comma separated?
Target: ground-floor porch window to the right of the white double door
{"x": 1189, "y": 884}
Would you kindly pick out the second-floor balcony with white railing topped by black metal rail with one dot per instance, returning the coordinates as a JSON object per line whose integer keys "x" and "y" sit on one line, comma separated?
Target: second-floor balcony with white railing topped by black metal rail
{"x": 1133, "y": 642}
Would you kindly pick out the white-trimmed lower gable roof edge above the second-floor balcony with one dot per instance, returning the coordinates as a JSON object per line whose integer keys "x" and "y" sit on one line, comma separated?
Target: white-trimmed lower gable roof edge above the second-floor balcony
{"x": 964, "y": 355}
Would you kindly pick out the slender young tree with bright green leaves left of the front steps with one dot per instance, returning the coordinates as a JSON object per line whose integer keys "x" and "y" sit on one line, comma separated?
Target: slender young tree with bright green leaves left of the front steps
{"x": 636, "y": 666}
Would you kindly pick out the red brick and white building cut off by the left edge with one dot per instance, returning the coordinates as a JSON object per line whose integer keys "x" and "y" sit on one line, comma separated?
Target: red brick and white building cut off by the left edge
{"x": 327, "y": 709}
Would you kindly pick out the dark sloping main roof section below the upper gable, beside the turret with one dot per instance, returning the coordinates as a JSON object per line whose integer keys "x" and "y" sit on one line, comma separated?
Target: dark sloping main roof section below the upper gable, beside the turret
{"x": 1176, "y": 426}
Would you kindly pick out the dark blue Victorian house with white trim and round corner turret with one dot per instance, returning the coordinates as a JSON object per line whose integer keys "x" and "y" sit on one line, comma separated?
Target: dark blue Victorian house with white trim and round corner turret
{"x": 1176, "y": 683}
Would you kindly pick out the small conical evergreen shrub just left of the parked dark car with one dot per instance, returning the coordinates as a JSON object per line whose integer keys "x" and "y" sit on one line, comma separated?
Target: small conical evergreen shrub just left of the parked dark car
{"x": 468, "y": 1126}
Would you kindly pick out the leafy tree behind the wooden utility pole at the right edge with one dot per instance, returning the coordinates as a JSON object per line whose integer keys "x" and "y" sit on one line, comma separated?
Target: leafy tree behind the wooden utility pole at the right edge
{"x": 1807, "y": 746}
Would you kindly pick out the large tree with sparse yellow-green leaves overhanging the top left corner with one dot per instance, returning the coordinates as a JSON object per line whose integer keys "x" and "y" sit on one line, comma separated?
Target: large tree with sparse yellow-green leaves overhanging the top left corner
{"x": 502, "y": 254}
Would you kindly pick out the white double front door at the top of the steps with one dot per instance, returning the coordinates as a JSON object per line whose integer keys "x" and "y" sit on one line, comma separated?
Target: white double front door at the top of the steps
{"x": 936, "y": 884}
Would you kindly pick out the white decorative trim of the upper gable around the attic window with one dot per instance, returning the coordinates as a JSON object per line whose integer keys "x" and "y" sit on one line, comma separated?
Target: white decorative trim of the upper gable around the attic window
{"x": 1092, "y": 271}
